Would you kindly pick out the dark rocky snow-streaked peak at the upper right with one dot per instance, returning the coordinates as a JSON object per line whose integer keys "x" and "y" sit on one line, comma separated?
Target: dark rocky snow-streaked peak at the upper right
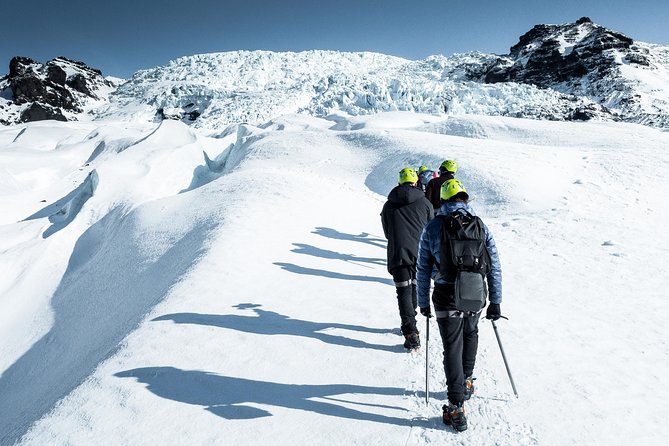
{"x": 582, "y": 59}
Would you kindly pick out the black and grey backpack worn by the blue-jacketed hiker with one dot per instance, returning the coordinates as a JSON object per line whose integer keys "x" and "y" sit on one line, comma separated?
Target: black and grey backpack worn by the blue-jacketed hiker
{"x": 464, "y": 259}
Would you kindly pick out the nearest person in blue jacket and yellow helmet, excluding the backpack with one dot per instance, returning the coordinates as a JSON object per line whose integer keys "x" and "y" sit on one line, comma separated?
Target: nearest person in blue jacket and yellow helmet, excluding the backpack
{"x": 458, "y": 329}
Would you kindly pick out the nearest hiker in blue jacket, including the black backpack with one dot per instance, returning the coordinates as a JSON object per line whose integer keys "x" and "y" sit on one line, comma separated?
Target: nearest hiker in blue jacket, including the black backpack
{"x": 457, "y": 308}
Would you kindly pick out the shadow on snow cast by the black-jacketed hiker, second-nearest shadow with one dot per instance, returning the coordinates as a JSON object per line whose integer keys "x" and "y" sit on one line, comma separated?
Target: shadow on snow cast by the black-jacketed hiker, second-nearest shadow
{"x": 272, "y": 323}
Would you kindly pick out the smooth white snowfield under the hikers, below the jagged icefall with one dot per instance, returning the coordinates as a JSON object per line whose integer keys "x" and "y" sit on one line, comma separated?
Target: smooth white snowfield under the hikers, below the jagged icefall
{"x": 187, "y": 286}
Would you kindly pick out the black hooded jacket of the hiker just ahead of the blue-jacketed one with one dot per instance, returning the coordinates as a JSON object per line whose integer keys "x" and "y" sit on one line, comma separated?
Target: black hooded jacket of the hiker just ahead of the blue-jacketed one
{"x": 404, "y": 216}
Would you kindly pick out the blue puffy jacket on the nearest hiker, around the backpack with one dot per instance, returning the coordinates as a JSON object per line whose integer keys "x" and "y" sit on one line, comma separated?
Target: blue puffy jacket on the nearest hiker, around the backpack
{"x": 428, "y": 257}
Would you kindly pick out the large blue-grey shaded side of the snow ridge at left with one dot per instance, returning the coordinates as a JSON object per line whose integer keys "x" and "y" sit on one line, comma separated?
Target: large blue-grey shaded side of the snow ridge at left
{"x": 110, "y": 284}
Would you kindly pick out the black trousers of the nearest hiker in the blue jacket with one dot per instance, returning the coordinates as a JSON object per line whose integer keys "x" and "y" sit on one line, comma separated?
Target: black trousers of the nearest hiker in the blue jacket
{"x": 460, "y": 337}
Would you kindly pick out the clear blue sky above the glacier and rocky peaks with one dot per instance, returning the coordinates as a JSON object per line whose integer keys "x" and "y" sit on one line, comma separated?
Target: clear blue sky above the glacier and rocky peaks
{"x": 123, "y": 36}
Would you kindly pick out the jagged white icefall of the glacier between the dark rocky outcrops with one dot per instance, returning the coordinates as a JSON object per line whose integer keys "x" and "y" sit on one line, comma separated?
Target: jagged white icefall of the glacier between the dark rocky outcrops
{"x": 255, "y": 86}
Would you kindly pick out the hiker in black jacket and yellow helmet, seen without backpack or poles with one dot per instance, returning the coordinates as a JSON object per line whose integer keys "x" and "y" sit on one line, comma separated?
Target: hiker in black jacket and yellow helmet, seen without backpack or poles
{"x": 403, "y": 217}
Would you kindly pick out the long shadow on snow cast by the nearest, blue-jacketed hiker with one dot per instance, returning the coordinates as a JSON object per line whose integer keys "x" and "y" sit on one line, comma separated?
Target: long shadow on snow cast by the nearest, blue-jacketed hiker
{"x": 228, "y": 396}
